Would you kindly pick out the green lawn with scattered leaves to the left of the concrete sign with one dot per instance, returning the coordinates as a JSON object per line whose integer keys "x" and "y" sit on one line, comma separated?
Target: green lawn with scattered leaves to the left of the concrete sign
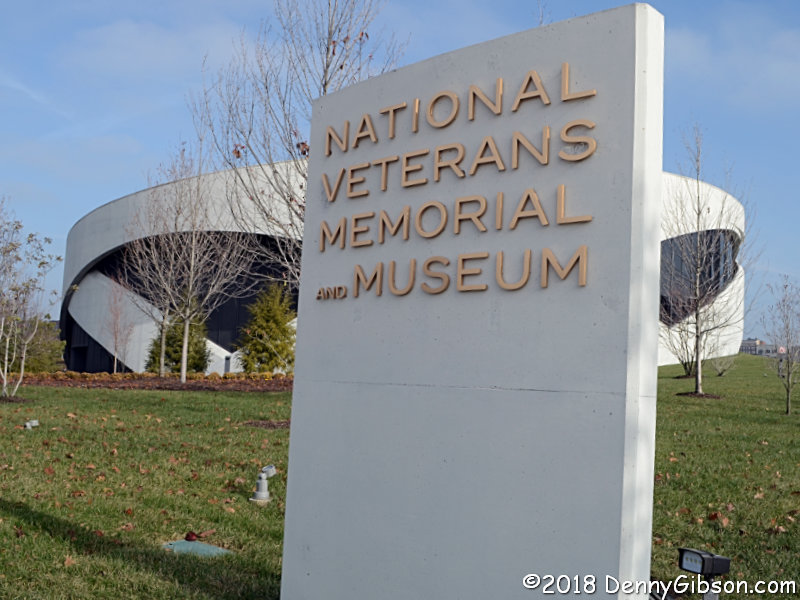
{"x": 88, "y": 498}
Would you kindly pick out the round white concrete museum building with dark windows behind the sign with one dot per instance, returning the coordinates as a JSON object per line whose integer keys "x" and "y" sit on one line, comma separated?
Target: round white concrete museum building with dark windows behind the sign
{"x": 694, "y": 215}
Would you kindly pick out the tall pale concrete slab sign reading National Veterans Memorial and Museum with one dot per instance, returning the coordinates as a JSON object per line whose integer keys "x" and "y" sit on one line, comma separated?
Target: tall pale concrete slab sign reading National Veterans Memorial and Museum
{"x": 477, "y": 335}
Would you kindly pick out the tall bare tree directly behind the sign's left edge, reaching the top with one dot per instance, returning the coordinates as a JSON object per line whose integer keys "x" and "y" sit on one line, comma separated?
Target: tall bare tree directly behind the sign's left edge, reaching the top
{"x": 257, "y": 111}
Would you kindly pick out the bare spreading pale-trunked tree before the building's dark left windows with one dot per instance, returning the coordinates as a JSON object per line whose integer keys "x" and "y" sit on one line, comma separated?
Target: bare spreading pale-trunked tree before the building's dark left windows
{"x": 183, "y": 261}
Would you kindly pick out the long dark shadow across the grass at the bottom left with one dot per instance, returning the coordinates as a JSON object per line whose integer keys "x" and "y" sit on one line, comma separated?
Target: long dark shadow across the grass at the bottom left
{"x": 221, "y": 577}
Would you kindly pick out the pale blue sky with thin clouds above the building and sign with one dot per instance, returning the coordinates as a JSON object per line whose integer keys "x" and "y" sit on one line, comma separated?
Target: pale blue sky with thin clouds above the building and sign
{"x": 93, "y": 94}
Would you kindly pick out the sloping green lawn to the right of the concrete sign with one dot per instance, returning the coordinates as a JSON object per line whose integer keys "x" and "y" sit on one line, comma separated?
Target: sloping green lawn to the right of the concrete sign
{"x": 728, "y": 474}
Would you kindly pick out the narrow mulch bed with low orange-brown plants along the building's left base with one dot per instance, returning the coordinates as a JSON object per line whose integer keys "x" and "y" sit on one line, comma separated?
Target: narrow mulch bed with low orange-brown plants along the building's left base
{"x": 283, "y": 384}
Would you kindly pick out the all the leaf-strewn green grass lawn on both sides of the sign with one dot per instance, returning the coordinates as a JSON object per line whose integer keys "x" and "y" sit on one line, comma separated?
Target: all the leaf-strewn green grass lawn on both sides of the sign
{"x": 88, "y": 498}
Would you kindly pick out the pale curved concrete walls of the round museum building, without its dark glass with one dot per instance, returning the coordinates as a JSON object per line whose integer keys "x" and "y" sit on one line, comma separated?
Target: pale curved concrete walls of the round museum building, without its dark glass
{"x": 109, "y": 227}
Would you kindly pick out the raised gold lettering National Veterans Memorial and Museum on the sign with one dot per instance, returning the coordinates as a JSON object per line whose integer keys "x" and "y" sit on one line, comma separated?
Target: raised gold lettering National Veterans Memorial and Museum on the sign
{"x": 517, "y": 147}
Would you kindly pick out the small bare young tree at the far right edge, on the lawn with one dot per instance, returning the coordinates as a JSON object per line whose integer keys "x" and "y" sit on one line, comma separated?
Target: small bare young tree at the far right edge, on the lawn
{"x": 781, "y": 323}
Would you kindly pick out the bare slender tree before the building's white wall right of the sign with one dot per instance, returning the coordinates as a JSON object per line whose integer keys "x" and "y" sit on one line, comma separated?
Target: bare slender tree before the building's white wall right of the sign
{"x": 705, "y": 245}
